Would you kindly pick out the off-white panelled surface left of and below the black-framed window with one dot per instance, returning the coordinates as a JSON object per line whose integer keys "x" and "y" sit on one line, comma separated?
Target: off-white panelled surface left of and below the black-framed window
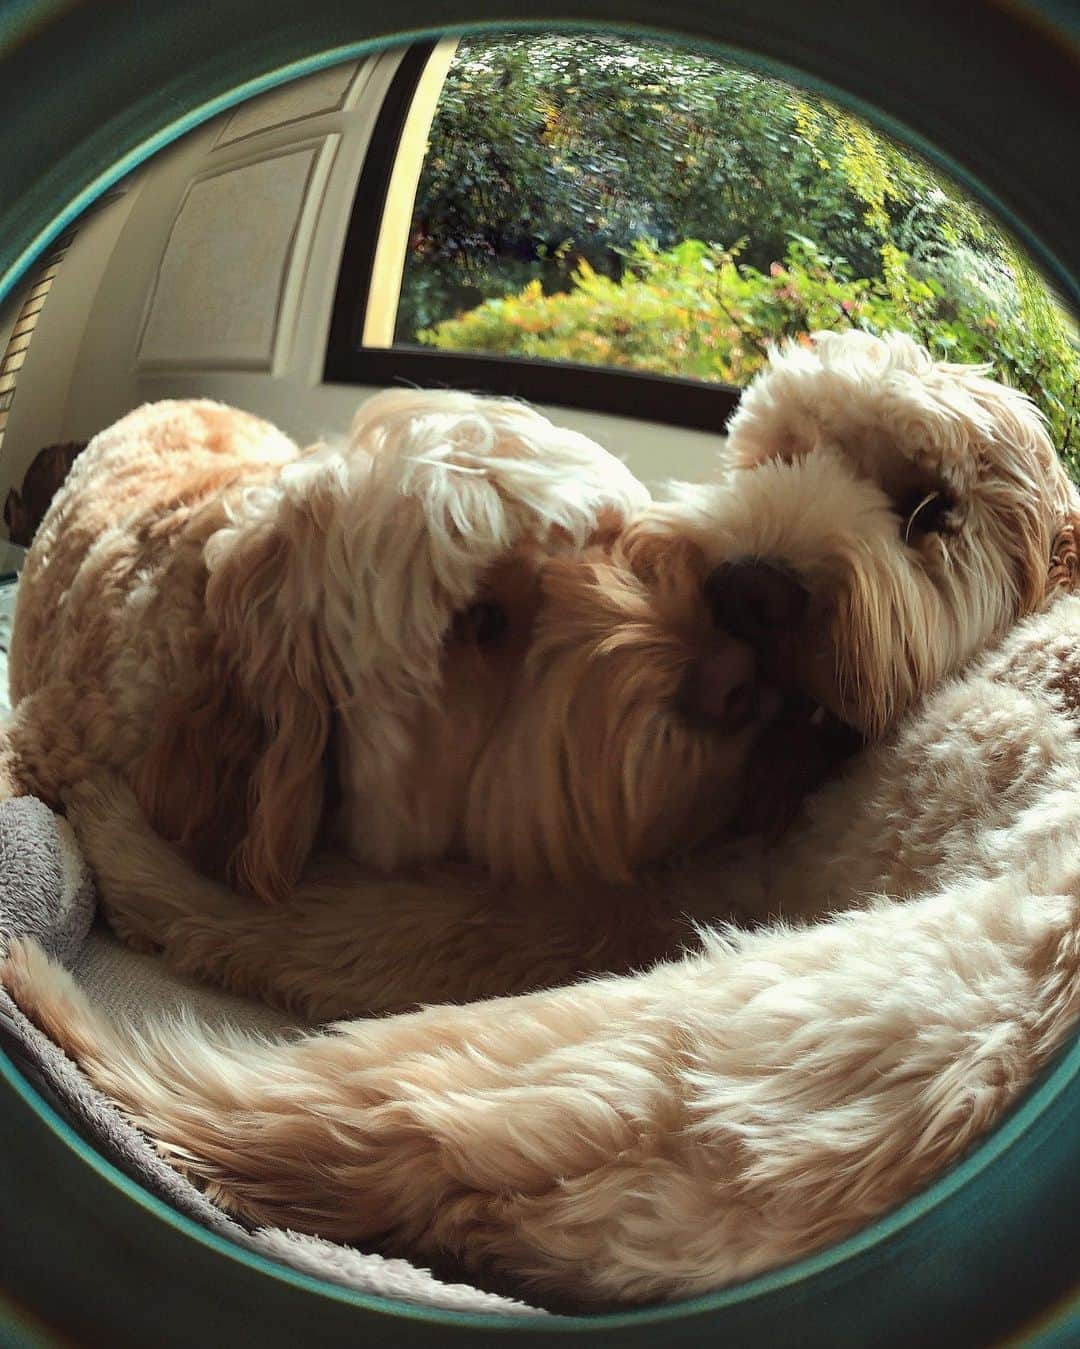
{"x": 90, "y": 362}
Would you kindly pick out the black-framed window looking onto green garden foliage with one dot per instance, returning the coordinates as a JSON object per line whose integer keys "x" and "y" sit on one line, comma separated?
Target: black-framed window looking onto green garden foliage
{"x": 622, "y": 225}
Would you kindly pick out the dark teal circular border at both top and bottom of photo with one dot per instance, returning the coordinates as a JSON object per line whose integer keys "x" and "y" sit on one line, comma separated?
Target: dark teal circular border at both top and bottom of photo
{"x": 96, "y": 88}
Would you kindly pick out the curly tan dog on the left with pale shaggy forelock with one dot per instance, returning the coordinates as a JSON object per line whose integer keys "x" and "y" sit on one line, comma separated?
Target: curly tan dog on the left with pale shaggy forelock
{"x": 433, "y": 644}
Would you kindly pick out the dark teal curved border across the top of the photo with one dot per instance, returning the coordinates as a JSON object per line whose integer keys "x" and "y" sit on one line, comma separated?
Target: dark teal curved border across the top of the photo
{"x": 1011, "y": 117}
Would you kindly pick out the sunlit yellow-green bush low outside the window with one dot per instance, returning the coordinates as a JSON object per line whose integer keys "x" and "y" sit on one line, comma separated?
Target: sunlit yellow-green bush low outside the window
{"x": 702, "y": 312}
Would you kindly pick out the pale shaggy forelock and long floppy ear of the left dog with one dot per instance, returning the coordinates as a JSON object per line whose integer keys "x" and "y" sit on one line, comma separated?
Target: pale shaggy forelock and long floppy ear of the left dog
{"x": 331, "y": 592}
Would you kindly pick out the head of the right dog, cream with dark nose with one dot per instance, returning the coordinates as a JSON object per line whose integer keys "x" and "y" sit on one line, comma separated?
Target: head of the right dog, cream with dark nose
{"x": 885, "y": 519}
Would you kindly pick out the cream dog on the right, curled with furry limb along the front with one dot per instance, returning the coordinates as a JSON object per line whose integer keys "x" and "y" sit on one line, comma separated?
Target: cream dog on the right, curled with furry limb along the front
{"x": 657, "y": 1135}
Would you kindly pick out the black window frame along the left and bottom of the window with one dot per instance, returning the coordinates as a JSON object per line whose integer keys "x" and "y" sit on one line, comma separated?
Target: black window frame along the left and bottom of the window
{"x": 667, "y": 400}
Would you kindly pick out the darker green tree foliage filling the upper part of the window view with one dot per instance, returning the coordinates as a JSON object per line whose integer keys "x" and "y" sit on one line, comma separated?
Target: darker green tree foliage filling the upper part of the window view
{"x": 551, "y": 150}
